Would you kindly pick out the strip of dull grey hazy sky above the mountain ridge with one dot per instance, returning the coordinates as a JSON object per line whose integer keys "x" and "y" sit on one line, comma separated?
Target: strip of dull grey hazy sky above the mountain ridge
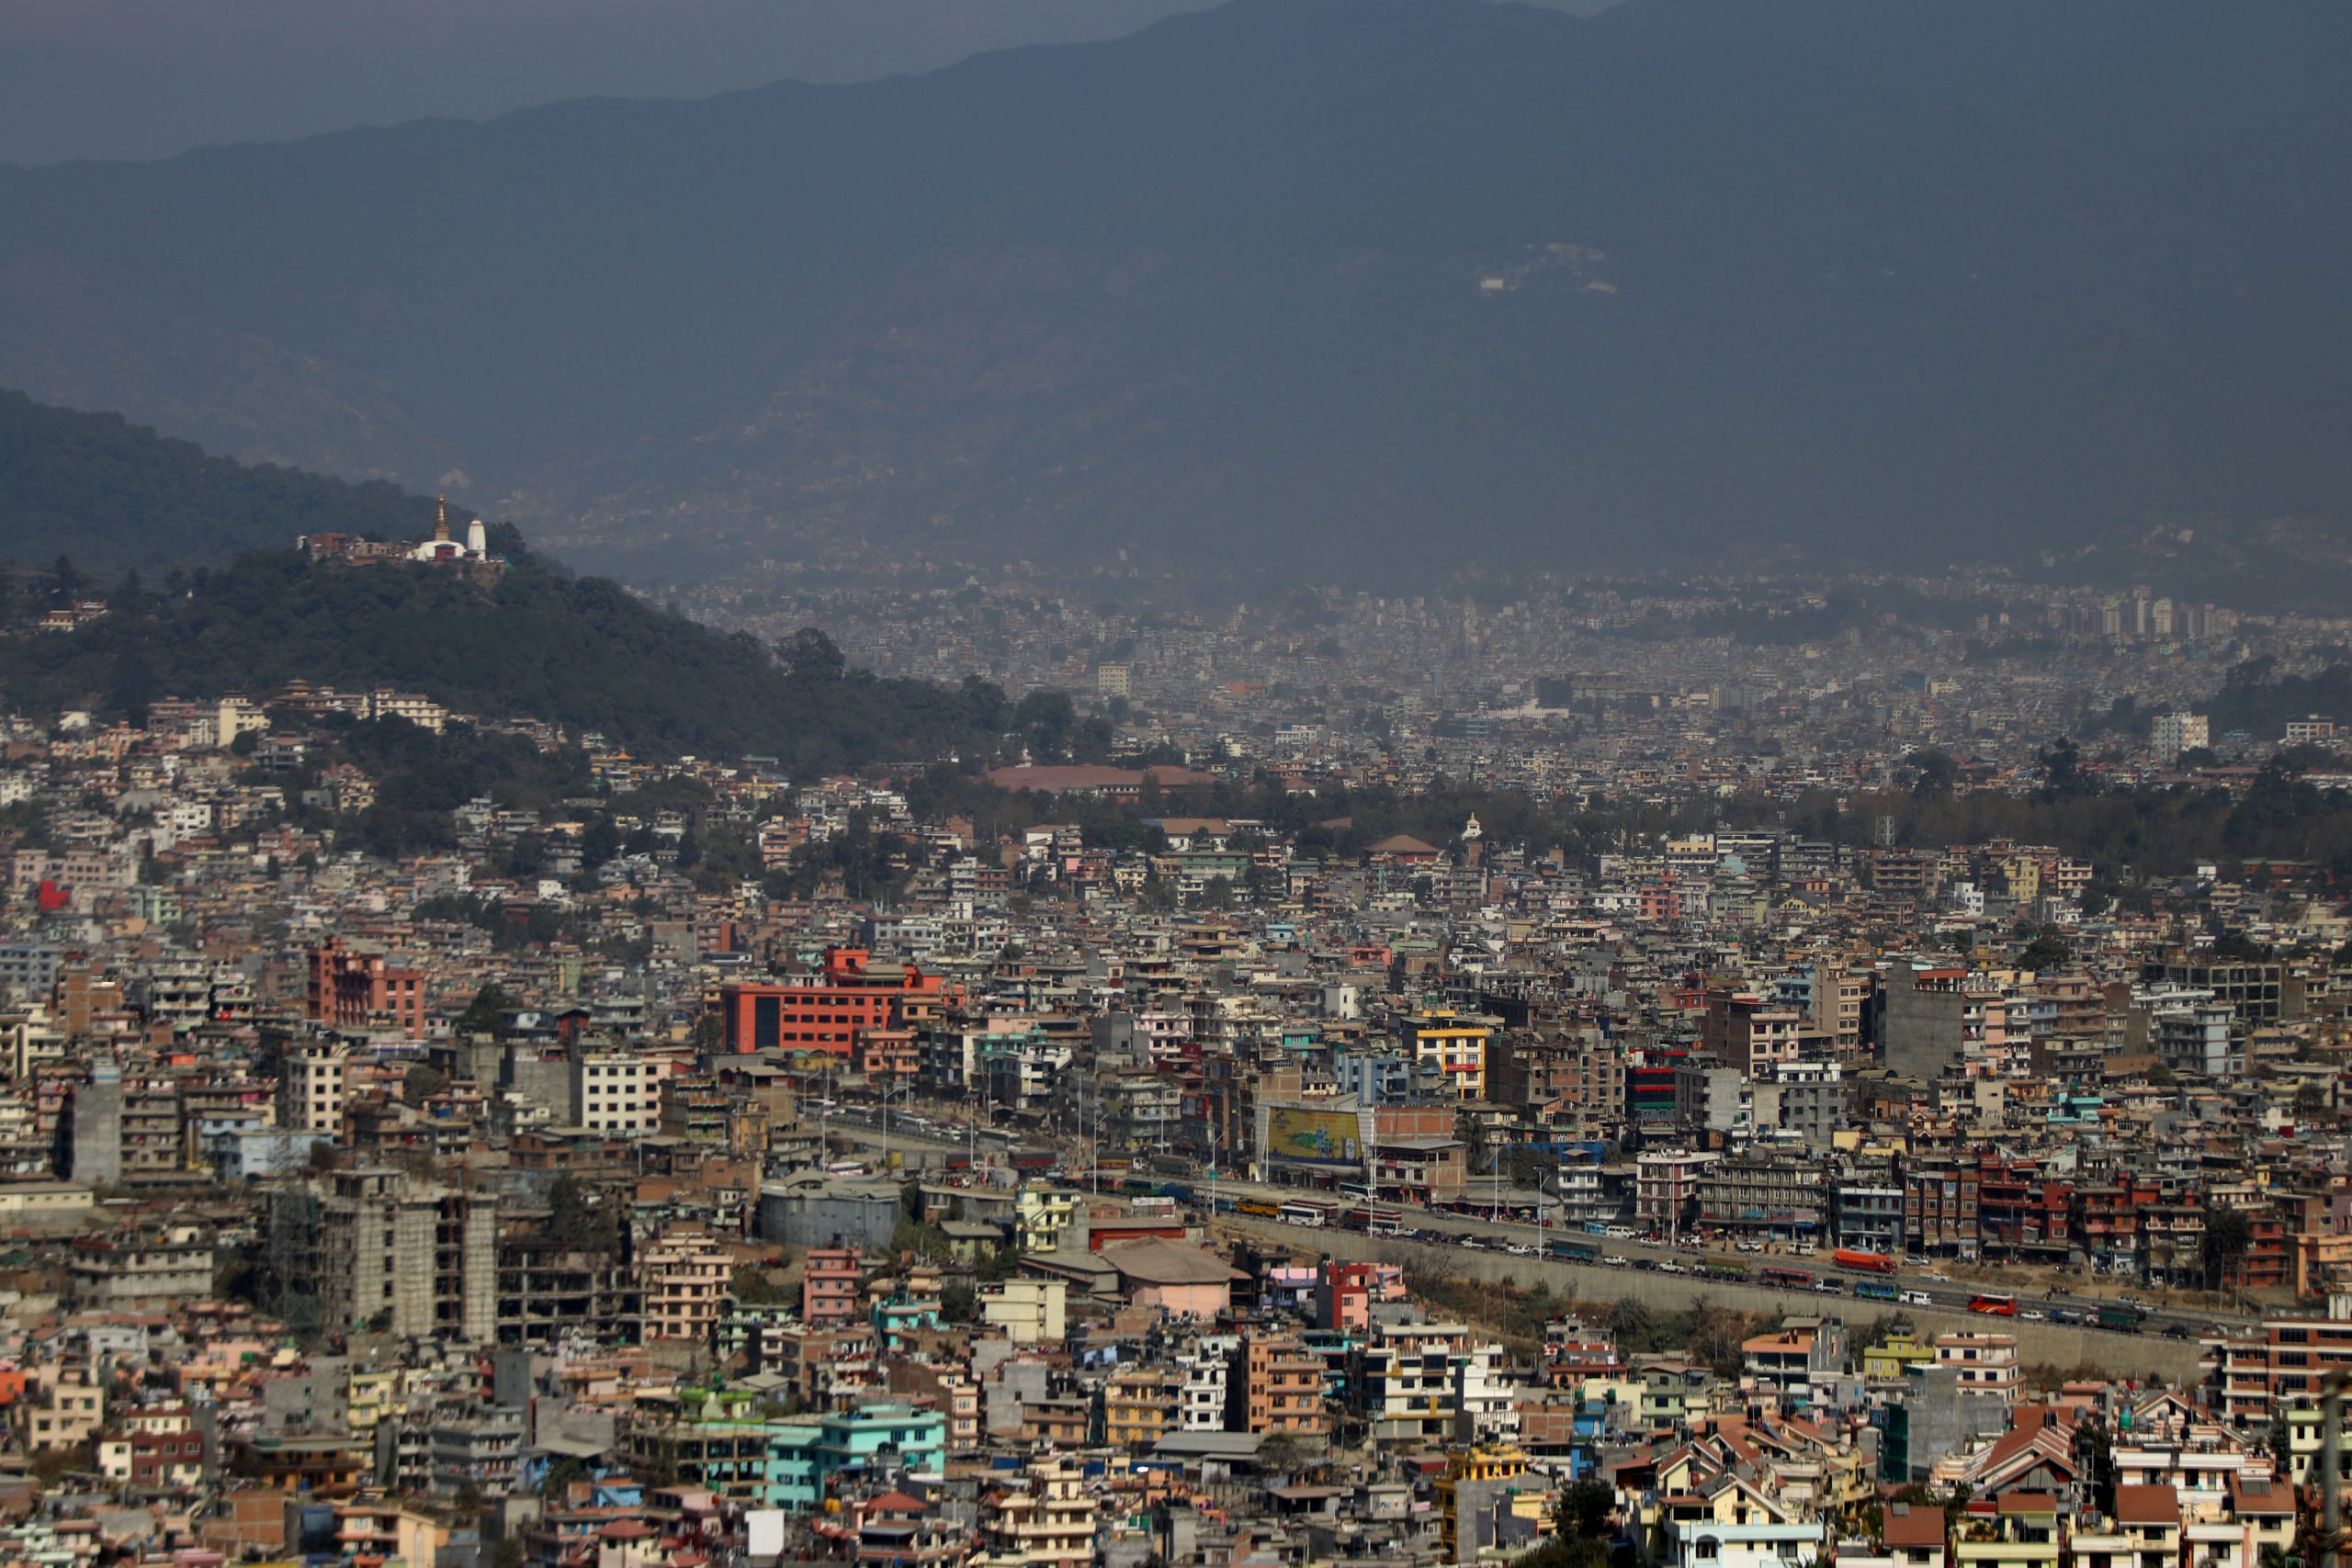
{"x": 149, "y": 79}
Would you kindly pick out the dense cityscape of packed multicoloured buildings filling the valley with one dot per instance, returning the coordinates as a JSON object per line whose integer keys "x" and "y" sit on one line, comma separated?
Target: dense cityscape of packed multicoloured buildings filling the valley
{"x": 1657, "y": 1073}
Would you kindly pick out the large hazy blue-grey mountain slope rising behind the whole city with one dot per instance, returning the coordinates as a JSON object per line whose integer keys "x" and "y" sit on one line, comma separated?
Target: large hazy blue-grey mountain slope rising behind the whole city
{"x": 1895, "y": 279}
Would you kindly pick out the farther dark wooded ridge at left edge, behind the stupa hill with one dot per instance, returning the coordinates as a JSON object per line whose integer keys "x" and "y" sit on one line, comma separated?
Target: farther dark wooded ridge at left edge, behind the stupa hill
{"x": 116, "y": 497}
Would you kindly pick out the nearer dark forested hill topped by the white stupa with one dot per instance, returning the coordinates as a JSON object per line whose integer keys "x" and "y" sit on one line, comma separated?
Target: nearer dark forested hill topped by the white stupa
{"x": 535, "y": 643}
